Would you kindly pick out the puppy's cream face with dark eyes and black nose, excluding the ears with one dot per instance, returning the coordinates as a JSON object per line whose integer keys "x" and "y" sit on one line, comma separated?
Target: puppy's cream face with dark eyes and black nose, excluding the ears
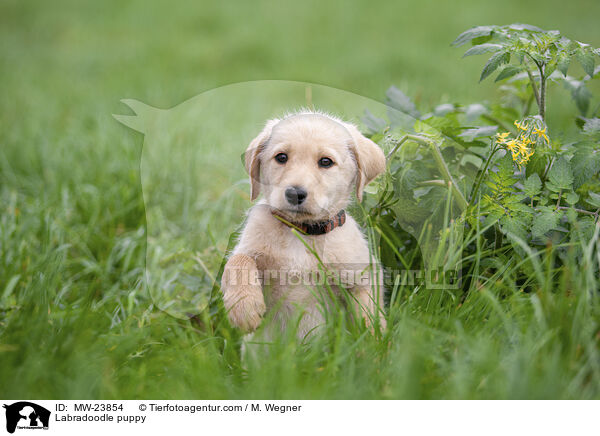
{"x": 307, "y": 168}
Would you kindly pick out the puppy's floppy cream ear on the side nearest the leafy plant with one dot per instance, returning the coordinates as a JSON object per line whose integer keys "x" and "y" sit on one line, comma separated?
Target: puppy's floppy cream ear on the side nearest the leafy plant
{"x": 370, "y": 159}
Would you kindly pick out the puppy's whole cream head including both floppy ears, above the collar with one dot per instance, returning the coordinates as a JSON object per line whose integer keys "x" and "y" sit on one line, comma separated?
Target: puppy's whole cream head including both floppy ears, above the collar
{"x": 308, "y": 164}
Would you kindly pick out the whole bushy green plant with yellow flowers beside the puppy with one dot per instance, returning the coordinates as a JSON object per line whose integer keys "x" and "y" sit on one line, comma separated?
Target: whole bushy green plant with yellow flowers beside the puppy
{"x": 511, "y": 183}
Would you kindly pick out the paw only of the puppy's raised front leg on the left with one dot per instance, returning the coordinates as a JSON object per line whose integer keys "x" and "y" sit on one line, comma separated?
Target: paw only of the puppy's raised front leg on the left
{"x": 245, "y": 306}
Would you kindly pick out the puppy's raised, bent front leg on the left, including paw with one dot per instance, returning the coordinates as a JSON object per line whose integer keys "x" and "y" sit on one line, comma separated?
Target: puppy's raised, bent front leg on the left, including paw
{"x": 242, "y": 292}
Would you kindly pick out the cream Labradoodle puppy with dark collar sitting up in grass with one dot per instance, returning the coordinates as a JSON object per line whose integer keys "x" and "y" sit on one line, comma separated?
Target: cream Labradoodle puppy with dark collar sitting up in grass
{"x": 306, "y": 165}
